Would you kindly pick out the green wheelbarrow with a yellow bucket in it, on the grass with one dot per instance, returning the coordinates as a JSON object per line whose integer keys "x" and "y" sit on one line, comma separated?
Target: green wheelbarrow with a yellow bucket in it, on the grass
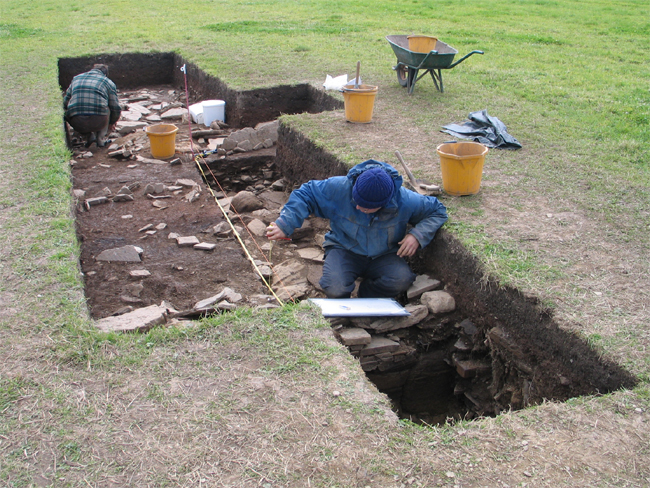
{"x": 410, "y": 63}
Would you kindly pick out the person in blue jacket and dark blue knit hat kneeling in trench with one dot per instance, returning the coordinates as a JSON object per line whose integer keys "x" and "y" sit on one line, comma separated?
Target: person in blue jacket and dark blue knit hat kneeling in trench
{"x": 374, "y": 224}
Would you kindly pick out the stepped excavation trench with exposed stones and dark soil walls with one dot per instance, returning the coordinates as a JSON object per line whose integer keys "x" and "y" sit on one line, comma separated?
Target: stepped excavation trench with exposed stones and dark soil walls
{"x": 496, "y": 350}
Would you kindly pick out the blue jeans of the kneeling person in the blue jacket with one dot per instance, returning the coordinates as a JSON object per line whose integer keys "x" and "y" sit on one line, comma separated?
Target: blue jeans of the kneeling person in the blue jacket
{"x": 384, "y": 277}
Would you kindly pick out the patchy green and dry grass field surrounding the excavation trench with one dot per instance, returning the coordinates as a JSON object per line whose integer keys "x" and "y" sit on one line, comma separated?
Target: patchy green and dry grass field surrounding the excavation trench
{"x": 571, "y": 80}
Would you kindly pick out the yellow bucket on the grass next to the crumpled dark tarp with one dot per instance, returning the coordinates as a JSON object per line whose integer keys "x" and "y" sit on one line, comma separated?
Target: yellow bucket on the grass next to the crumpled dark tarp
{"x": 461, "y": 164}
